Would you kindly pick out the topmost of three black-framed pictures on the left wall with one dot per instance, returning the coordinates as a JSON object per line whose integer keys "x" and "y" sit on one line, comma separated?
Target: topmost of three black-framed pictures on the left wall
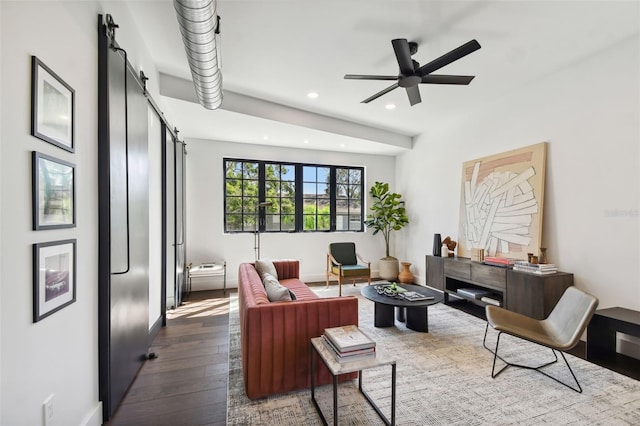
{"x": 52, "y": 107}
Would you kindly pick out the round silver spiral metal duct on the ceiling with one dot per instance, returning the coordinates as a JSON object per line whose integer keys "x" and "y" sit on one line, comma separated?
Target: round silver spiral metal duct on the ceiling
{"x": 199, "y": 25}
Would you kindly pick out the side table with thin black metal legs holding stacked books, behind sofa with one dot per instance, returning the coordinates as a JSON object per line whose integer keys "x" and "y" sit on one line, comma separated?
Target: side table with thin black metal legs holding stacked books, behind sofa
{"x": 336, "y": 368}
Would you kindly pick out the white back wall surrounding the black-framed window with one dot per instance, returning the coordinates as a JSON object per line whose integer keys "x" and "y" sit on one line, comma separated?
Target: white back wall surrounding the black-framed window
{"x": 207, "y": 241}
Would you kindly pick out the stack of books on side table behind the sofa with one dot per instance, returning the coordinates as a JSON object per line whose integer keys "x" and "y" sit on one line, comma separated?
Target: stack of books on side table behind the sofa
{"x": 348, "y": 343}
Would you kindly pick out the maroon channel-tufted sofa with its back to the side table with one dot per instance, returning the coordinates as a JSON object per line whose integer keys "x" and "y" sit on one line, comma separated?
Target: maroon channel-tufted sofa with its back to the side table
{"x": 276, "y": 336}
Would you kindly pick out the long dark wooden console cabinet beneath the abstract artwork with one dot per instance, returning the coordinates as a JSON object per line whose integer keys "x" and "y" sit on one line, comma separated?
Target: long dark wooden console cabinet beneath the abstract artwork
{"x": 528, "y": 294}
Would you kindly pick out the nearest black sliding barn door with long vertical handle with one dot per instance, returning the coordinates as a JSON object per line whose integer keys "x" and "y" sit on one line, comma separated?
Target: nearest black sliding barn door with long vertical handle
{"x": 124, "y": 225}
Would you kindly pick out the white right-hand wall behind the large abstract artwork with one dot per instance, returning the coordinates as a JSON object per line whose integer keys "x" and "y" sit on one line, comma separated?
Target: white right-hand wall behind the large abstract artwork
{"x": 589, "y": 113}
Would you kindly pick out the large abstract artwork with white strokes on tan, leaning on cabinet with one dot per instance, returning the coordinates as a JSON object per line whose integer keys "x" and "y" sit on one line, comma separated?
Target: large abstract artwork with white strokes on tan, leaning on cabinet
{"x": 501, "y": 203}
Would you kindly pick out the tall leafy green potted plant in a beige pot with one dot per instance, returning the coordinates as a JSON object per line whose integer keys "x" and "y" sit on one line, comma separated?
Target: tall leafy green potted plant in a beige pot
{"x": 387, "y": 214}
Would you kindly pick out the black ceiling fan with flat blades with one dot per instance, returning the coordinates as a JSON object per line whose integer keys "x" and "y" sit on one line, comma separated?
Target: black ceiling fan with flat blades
{"x": 411, "y": 73}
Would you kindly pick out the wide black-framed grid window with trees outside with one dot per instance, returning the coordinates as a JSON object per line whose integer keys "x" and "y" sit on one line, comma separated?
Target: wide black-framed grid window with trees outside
{"x": 263, "y": 196}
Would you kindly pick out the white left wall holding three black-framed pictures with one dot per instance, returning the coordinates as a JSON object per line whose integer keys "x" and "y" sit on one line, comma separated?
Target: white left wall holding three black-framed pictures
{"x": 58, "y": 355}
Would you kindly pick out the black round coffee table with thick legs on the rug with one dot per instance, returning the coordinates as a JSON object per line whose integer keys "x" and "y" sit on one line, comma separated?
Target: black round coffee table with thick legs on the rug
{"x": 413, "y": 312}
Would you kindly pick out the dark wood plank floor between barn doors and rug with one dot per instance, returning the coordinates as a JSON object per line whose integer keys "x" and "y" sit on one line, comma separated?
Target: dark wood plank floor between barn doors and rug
{"x": 187, "y": 383}
